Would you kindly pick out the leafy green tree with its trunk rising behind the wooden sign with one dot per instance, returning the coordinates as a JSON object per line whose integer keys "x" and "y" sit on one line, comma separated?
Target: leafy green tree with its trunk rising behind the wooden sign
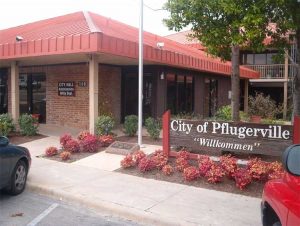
{"x": 226, "y": 26}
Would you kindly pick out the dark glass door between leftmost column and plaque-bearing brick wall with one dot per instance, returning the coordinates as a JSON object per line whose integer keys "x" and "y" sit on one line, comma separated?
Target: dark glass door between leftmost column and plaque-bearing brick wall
{"x": 33, "y": 95}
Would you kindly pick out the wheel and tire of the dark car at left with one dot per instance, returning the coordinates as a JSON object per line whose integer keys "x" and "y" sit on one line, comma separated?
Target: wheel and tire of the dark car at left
{"x": 18, "y": 178}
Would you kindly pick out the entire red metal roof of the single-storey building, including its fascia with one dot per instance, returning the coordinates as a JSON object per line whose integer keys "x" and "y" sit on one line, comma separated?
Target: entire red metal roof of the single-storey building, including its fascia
{"x": 86, "y": 32}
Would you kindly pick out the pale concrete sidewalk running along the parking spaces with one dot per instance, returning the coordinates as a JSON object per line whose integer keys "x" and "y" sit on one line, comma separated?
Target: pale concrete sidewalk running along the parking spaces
{"x": 145, "y": 201}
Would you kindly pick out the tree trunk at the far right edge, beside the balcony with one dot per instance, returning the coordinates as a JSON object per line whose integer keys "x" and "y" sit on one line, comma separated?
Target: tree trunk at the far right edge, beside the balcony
{"x": 296, "y": 95}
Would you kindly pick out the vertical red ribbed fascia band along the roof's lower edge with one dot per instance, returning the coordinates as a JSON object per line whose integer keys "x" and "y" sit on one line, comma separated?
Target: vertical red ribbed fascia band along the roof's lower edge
{"x": 116, "y": 48}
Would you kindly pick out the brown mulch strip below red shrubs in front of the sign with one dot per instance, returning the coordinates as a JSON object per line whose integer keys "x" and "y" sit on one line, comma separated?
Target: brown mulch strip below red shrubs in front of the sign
{"x": 254, "y": 189}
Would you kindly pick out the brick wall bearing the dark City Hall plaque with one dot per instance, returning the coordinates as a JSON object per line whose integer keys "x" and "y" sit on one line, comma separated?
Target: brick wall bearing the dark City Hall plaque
{"x": 65, "y": 111}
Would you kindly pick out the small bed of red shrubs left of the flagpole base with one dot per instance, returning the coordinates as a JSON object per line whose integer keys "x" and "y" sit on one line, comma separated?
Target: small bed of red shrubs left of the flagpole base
{"x": 73, "y": 149}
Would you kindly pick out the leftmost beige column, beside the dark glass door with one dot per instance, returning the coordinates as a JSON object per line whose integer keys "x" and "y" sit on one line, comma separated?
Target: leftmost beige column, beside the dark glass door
{"x": 15, "y": 96}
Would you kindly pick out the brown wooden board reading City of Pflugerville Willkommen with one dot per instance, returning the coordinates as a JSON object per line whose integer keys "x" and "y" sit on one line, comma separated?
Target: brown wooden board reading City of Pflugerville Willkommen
{"x": 229, "y": 136}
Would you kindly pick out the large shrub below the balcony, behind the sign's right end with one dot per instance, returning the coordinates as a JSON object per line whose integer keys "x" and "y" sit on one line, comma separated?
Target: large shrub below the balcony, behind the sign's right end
{"x": 262, "y": 106}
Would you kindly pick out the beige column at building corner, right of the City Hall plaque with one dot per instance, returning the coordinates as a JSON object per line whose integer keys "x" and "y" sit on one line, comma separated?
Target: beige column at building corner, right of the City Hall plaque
{"x": 93, "y": 92}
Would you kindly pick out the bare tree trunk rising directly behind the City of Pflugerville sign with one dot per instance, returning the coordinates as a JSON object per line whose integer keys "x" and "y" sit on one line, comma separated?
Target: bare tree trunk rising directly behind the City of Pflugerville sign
{"x": 235, "y": 83}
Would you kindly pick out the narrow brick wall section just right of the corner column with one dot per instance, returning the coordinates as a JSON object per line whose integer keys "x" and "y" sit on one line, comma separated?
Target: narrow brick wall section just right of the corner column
{"x": 110, "y": 91}
